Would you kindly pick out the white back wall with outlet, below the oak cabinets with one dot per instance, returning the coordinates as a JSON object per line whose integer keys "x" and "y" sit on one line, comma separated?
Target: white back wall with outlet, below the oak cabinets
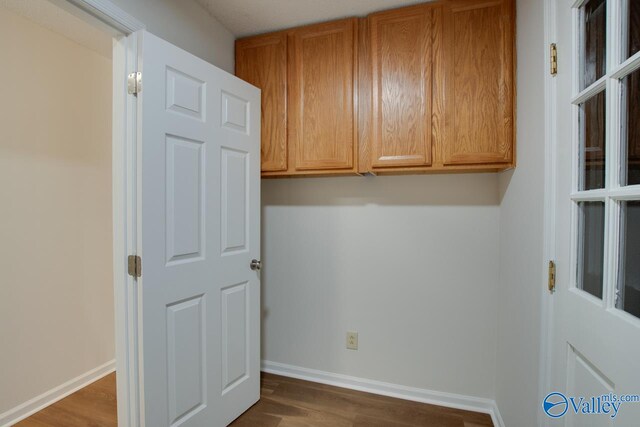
{"x": 409, "y": 262}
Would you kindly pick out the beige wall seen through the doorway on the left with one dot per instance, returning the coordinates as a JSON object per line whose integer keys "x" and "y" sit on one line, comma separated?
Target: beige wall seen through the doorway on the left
{"x": 56, "y": 292}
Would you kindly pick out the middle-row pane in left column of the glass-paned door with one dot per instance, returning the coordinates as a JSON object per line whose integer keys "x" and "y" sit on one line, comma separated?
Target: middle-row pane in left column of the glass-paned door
{"x": 592, "y": 143}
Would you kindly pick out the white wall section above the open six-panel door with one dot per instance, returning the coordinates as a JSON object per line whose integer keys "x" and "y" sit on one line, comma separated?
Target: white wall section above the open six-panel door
{"x": 187, "y": 25}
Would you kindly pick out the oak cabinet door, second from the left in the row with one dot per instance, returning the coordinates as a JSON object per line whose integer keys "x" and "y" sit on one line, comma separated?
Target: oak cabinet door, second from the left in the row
{"x": 321, "y": 97}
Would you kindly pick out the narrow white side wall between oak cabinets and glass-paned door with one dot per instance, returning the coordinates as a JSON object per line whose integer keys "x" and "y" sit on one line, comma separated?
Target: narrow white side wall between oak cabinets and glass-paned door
{"x": 521, "y": 233}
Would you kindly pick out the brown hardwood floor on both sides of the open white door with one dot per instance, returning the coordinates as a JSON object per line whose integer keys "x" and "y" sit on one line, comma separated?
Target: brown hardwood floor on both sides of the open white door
{"x": 285, "y": 402}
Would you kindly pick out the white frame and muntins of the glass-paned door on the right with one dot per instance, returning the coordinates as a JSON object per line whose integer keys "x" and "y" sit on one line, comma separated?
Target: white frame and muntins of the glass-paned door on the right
{"x": 595, "y": 346}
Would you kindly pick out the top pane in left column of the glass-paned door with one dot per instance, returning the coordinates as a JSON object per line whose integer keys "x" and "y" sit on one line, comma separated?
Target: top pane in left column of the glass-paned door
{"x": 594, "y": 14}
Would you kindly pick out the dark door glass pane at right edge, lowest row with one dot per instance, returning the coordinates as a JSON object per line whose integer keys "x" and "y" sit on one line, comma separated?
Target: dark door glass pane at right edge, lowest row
{"x": 628, "y": 296}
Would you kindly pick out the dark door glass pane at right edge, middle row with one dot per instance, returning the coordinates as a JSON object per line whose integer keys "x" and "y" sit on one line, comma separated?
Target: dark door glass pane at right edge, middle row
{"x": 631, "y": 128}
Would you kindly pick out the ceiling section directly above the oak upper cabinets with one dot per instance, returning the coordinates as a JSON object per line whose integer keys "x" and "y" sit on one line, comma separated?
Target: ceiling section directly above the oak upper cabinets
{"x": 249, "y": 17}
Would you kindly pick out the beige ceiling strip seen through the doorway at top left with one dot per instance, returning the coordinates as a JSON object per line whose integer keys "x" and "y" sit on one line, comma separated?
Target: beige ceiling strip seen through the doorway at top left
{"x": 57, "y": 19}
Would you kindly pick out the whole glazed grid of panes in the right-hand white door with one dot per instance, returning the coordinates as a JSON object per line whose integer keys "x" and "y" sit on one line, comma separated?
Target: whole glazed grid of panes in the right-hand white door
{"x": 606, "y": 166}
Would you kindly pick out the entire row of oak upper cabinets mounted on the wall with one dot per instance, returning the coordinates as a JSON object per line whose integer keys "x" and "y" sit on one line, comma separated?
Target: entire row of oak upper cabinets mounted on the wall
{"x": 424, "y": 88}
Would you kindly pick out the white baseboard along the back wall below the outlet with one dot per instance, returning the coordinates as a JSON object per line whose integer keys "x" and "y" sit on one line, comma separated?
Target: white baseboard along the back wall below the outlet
{"x": 450, "y": 400}
